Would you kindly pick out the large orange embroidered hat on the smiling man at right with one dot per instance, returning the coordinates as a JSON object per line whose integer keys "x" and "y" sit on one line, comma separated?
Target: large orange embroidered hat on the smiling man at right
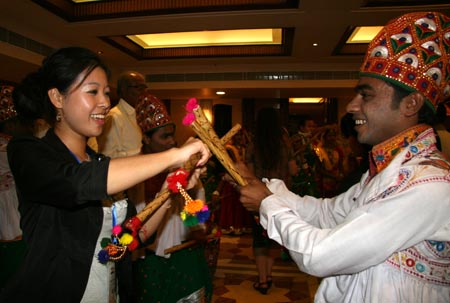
{"x": 413, "y": 51}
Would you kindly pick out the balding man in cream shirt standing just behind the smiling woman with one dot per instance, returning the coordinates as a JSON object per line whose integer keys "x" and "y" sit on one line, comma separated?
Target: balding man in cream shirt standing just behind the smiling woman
{"x": 121, "y": 135}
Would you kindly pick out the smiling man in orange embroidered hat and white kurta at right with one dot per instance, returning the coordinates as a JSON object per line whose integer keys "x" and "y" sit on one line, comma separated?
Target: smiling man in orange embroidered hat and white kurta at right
{"x": 387, "y": 238}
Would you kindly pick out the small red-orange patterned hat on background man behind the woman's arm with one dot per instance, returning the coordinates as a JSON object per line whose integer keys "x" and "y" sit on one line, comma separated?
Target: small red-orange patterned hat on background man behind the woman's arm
{"x": 151, "y": 113}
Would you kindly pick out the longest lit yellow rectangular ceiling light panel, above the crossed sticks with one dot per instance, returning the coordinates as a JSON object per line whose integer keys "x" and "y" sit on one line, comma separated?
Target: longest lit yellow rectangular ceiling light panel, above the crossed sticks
{"x": 267, "y": 36}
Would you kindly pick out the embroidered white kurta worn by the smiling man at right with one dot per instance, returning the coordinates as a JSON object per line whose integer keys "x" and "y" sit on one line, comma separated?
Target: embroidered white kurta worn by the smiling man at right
{"x": 356, "y": 239}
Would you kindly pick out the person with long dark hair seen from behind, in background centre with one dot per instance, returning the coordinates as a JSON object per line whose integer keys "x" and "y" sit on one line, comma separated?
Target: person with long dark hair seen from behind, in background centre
{"x": 267, "y": 160}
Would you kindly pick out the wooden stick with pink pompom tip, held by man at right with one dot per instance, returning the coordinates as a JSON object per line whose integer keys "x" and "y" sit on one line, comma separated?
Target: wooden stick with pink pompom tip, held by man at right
{"x": 197, "y": 120}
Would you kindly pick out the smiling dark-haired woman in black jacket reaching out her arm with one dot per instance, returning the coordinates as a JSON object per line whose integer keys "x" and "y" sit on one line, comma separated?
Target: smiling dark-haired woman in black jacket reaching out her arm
{"x": 61, "y": 182}
